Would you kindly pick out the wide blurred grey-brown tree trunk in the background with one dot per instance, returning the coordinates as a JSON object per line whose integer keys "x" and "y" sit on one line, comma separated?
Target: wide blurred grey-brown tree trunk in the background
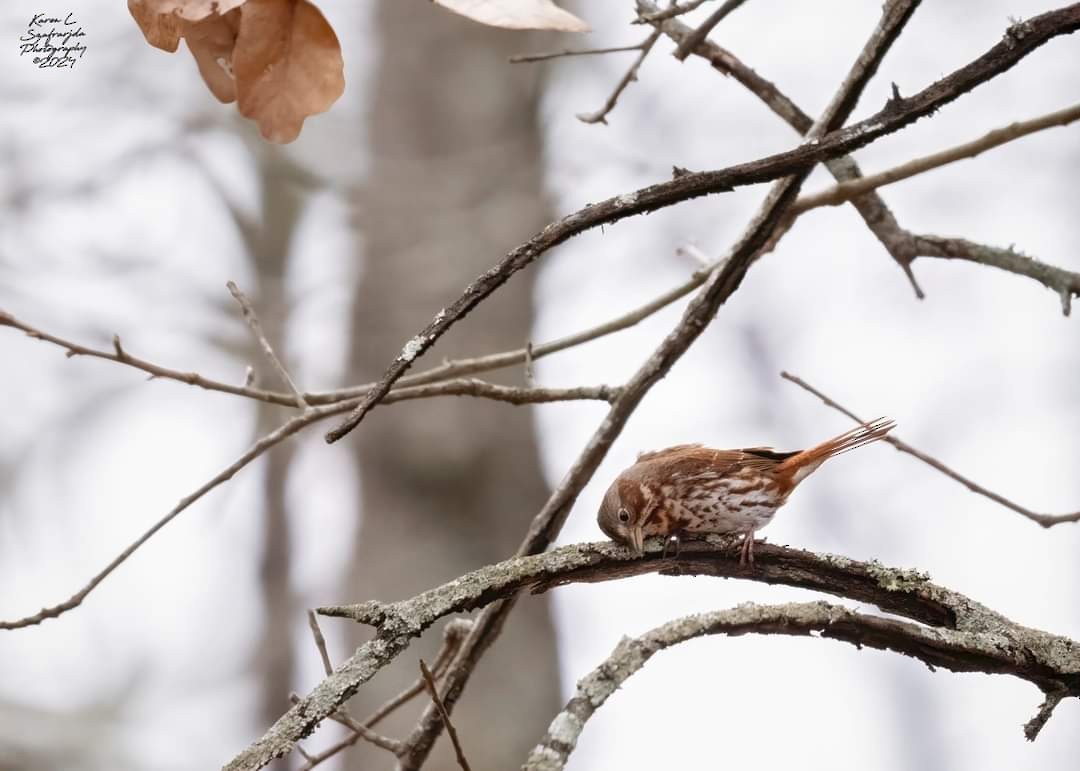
{"x": 450, "y": 485}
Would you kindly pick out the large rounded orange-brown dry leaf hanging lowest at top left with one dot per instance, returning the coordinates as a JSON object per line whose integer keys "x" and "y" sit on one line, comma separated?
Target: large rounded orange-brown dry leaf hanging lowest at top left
{"x": 288, "y": 65}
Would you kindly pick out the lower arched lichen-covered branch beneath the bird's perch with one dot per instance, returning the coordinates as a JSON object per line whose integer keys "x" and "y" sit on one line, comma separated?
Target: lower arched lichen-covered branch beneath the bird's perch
{"x": 958, "y": 652}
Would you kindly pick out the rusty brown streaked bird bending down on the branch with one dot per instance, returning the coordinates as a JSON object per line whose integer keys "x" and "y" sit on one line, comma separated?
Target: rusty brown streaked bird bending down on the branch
{"x": 692, "y": 489}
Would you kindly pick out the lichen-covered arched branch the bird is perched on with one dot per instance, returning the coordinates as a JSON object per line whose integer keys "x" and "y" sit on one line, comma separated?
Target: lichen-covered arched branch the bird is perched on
{"x": 992, "y": 641}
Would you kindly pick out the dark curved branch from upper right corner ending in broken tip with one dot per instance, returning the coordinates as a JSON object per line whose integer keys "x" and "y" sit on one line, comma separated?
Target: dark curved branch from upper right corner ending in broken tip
{"x": 1020, "y": 40}
